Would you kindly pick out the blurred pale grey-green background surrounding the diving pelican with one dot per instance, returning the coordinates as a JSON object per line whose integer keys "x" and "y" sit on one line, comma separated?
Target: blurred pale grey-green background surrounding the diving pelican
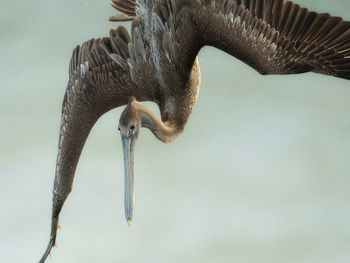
{"x": 260, "y": 174}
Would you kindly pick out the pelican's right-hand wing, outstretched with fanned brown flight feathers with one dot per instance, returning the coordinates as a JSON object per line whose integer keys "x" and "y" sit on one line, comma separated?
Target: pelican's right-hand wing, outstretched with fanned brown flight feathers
{"x": 276, "y": 36}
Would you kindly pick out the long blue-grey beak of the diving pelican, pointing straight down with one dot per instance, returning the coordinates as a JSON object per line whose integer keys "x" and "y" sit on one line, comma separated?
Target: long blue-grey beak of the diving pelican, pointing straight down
{"x": 129, "y": 196}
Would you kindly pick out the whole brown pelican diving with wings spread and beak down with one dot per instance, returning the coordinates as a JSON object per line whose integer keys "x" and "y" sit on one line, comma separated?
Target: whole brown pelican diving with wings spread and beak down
{"x": 157, "y": 61}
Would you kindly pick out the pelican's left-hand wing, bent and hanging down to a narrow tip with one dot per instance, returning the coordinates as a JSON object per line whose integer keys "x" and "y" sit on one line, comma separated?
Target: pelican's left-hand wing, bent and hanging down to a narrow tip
{"x": 100, "y": 79}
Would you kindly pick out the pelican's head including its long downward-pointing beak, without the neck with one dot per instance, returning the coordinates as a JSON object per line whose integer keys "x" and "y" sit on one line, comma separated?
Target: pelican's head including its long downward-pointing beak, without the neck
{"x": 129, "y": 128}
